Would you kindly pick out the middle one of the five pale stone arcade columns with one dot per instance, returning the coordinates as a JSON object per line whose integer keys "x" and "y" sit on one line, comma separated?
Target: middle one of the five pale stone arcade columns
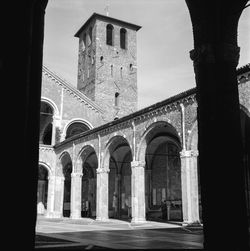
{"x": 102, "y": 195}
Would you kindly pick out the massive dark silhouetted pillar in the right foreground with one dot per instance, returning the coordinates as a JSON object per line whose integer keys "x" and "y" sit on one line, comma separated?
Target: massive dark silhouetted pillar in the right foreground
{"x": 215, "y": 58}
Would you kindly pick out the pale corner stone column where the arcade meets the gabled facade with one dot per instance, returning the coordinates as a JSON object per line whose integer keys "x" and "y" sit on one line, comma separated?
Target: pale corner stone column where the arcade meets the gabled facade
{"x": 58, "y": 197}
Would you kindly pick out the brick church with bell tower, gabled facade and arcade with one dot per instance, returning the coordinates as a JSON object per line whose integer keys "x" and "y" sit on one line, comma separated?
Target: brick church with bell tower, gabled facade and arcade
{"x": 101, "y": 157}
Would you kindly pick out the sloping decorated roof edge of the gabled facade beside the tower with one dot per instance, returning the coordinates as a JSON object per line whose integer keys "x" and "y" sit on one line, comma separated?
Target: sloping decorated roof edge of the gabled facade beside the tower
{"x": 76, "y": 92}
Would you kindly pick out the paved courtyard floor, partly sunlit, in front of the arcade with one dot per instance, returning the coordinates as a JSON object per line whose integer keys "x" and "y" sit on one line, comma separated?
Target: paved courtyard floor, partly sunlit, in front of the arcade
{"x": 67, "y": 234}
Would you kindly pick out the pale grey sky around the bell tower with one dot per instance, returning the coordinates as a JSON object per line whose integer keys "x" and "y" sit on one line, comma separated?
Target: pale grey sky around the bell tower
{"x": 164, "y": 68}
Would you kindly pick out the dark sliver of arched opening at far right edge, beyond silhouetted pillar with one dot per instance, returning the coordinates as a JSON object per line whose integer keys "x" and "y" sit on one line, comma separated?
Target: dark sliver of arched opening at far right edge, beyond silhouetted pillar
{"x": 245, "y": 129}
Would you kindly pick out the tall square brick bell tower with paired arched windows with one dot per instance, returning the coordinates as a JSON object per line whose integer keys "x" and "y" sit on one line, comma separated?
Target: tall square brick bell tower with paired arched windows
{"x": 107, "y": 71}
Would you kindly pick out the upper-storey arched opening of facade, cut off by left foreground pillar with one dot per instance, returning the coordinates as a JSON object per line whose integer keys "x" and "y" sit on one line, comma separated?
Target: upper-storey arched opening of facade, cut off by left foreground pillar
{"x": 46, "y": 123}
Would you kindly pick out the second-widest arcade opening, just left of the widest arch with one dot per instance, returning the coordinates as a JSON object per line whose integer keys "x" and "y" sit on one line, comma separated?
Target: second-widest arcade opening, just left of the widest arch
{"x": 120, "y": 179}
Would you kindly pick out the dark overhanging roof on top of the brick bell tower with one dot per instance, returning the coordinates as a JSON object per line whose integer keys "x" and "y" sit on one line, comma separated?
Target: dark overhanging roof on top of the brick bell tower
{"x": 95, "y": 16}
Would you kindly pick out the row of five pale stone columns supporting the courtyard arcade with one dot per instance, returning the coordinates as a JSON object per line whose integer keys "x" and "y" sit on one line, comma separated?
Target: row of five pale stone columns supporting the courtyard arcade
{"x": 189, "y": 182}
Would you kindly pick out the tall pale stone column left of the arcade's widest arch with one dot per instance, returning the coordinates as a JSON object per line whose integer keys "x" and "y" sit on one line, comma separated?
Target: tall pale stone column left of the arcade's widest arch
{"x": 138, "y": 191}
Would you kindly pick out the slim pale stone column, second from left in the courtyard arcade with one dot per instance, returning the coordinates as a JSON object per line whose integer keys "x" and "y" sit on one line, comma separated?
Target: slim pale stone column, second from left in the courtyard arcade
{"x": 76, "y": 195}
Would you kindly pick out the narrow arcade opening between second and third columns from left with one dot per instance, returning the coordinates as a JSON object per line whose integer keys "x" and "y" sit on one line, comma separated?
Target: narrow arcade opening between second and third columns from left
{"x": 89, "y": 166}
